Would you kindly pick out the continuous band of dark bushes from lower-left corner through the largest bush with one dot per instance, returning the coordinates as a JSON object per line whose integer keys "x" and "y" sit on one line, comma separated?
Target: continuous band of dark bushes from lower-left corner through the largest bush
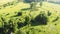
{"x": 14, "y": 23}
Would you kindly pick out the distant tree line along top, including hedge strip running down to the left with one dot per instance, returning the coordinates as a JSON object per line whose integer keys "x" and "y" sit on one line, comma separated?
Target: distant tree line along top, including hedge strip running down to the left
{"x": 32, "y": 3}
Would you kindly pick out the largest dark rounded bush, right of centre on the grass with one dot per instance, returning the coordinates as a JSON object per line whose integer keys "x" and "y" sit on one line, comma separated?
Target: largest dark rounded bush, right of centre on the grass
{"x": 40, "y": 19}
